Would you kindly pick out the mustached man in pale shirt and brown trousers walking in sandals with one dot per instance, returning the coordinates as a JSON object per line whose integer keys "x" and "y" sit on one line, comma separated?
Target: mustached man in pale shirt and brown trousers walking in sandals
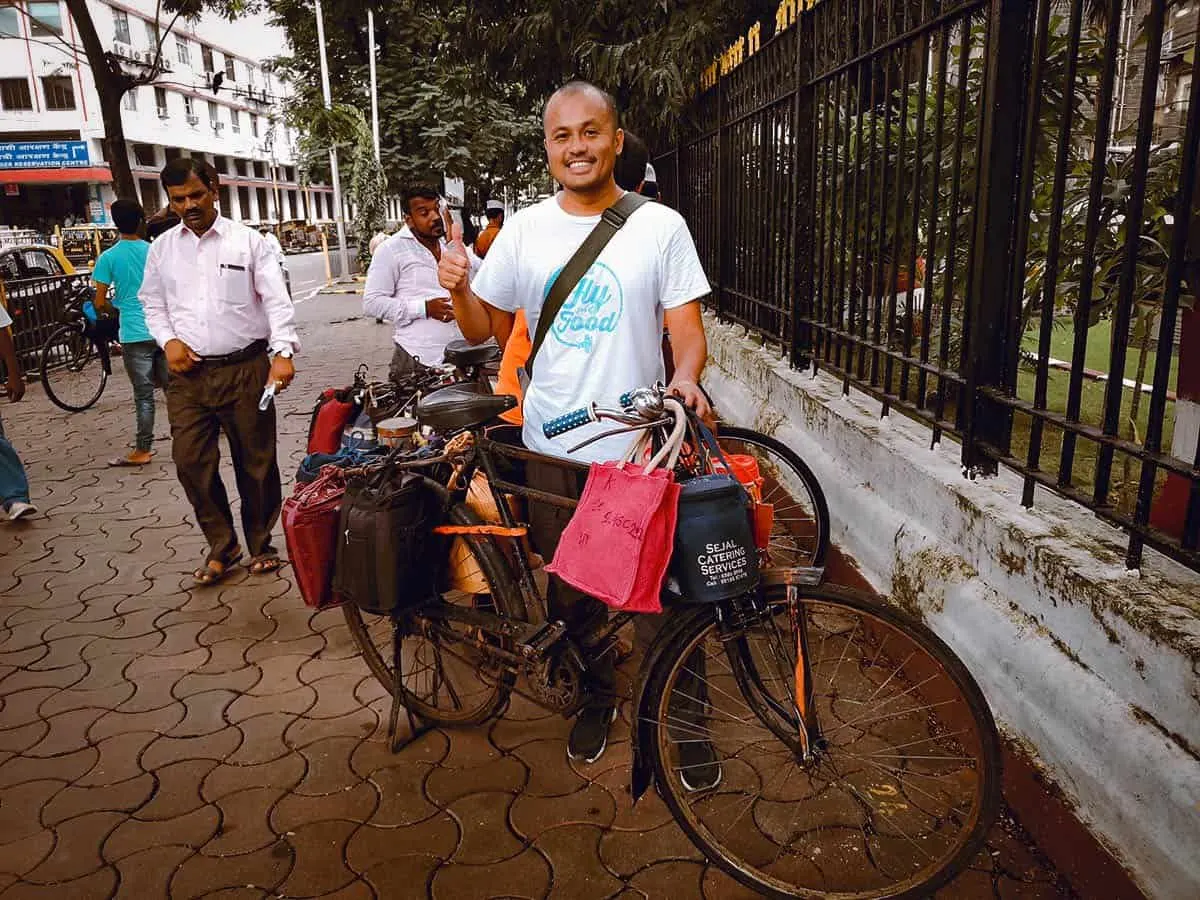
{"x": 215, "y": 302}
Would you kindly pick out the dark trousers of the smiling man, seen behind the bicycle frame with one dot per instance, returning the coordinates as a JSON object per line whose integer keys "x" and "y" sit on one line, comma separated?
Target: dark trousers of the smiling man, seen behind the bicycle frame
{"x": 585, "y": 615}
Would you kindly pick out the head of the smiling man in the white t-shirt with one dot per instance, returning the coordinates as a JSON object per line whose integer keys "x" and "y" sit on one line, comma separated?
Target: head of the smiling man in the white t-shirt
{"x": 583, "y": 141}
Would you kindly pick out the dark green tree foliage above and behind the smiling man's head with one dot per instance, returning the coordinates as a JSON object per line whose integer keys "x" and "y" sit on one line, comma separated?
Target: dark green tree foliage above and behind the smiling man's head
{"x": 461, "y": 86}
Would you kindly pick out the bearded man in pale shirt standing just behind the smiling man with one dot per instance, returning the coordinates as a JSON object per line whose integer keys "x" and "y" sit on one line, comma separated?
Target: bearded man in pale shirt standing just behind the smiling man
{"x": 403, "y": 286}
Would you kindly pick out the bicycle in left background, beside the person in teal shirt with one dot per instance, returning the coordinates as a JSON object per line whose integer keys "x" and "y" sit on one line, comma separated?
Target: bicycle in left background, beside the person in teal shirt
{"x": 76, "y": 361}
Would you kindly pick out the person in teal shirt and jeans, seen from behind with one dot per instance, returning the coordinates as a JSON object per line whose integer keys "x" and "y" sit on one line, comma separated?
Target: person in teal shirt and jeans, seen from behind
{"x": 118, "y": 278}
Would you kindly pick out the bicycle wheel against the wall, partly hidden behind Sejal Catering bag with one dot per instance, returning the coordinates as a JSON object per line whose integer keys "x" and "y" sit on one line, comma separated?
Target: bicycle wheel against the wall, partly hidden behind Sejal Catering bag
{"x": 794, "y": 549}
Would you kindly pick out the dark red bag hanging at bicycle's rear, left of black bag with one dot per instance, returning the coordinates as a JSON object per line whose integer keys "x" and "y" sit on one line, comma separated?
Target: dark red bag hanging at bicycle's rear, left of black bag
{"x": 310, "y": 530}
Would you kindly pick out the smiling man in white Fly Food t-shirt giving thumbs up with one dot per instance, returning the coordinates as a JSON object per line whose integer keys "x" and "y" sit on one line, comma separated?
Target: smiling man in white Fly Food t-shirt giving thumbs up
{"x": 608, "y": 337}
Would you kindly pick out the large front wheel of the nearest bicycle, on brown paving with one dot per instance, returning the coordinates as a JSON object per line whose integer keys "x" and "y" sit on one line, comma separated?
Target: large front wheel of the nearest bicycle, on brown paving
{"x": 897, "y": 800}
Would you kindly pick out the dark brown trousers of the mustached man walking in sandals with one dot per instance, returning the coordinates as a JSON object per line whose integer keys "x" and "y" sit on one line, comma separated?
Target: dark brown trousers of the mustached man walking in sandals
{"x": 203, "y": 404}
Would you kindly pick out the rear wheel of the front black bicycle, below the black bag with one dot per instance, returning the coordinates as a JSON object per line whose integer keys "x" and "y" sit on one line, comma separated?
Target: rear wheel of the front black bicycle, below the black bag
{"x": 446, "y": 680}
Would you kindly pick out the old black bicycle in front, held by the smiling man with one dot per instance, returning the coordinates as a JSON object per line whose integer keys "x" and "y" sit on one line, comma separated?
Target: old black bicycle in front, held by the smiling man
{"x": 857, "y": 757}
